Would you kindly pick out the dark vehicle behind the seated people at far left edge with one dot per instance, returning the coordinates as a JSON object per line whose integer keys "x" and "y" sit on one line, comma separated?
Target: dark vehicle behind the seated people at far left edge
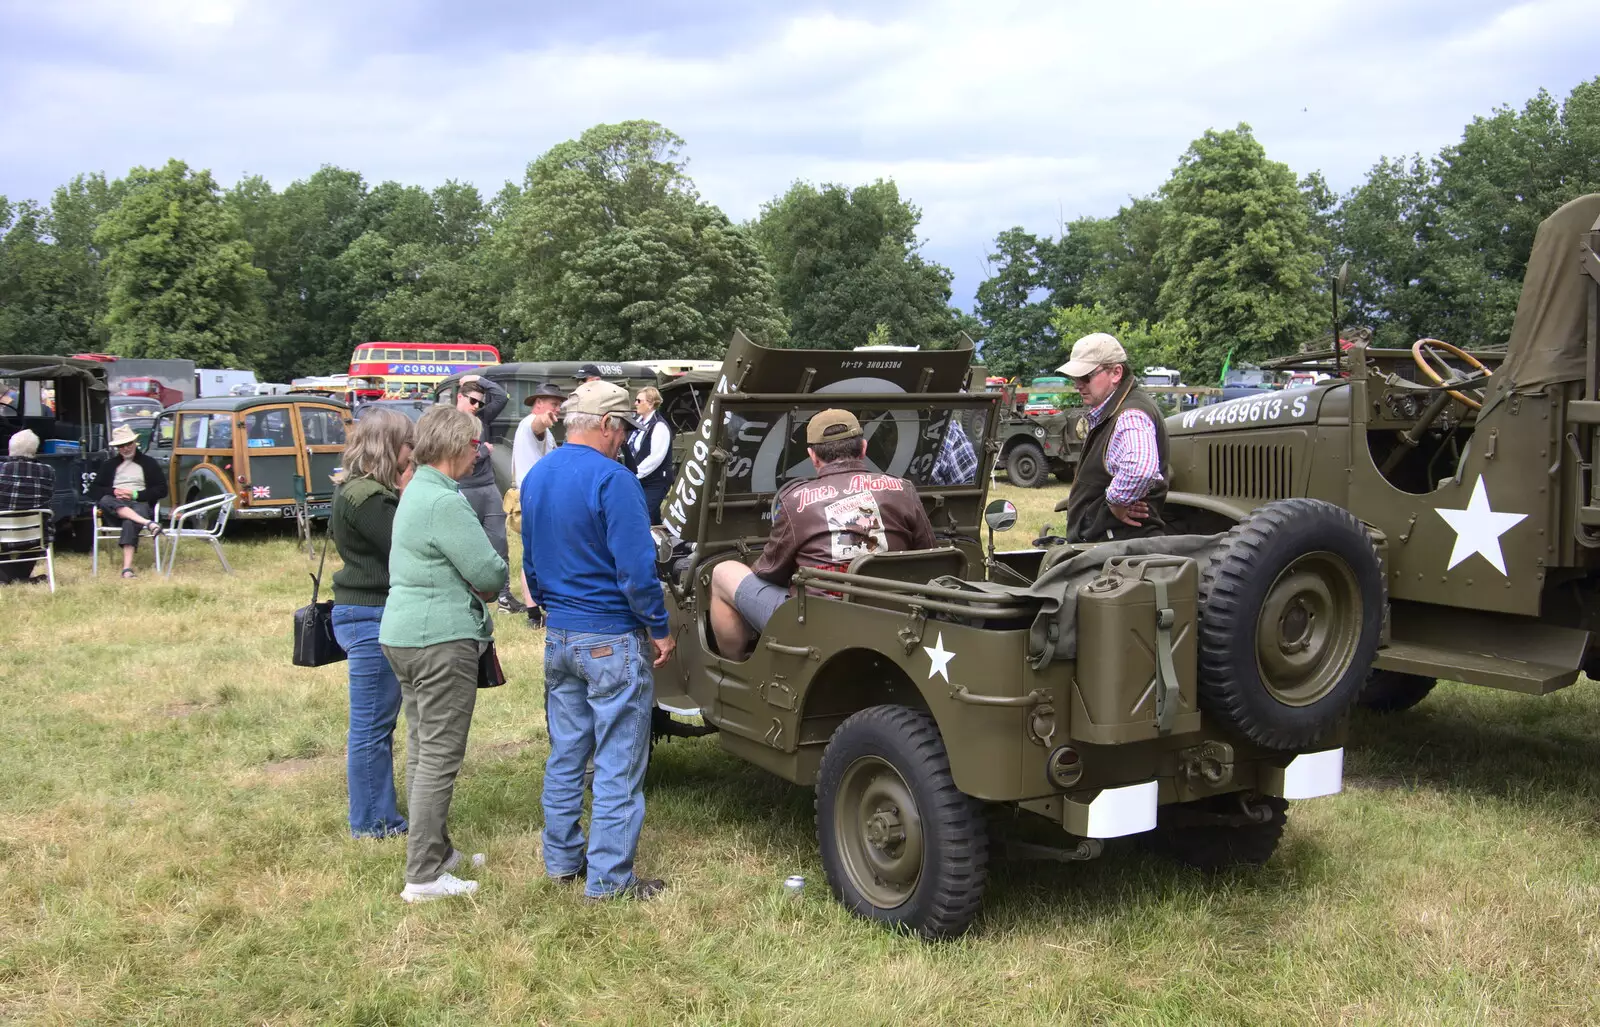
{"x": 65, "y": 402}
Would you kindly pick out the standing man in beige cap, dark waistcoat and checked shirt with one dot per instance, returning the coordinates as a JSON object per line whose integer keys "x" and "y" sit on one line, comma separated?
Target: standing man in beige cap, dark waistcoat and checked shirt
{"x": 1122, "y": 479}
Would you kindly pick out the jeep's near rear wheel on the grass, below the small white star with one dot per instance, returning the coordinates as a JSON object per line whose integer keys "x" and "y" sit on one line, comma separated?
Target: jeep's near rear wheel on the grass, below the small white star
{"x": 900, "y": 842}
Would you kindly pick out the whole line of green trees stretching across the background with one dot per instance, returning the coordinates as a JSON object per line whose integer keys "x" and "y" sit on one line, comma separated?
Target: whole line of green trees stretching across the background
{"x": 607, "y": 252}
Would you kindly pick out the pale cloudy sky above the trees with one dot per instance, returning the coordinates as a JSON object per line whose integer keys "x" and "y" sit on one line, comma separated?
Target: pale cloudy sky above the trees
{"x": 986, "y": 113}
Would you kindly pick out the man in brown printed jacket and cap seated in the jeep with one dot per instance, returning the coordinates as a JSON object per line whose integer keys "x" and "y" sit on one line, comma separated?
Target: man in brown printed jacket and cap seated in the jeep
{"x": 844, "y": 513}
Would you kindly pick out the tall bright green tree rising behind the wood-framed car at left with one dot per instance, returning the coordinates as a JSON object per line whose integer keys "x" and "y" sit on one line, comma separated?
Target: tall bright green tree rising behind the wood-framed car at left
{"x": 180, "y": 274}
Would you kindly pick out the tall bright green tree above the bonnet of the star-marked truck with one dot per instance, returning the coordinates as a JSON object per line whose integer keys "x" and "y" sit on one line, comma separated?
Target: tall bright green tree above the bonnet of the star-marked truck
{"x": 1239, "y": 252}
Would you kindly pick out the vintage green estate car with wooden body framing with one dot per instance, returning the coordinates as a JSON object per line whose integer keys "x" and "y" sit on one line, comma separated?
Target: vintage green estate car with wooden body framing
{"x": 254, "y": 447}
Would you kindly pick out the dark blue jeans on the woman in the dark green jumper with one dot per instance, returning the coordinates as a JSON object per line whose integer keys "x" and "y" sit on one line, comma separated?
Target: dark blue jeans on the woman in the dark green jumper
{"x": 375, "y": 708}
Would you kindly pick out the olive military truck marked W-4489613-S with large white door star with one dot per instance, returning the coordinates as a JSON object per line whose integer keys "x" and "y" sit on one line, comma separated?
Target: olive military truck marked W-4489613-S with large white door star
{"x": 1474, "y": 473}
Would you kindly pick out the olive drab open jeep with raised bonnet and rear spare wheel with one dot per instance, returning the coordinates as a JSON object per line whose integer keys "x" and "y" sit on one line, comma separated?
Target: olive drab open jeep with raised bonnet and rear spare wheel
{"x": 1078, "y": 687}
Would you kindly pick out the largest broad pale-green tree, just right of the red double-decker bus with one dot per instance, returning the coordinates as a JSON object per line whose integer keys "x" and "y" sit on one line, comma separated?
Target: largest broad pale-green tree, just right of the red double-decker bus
{"x": 612, "y": 255}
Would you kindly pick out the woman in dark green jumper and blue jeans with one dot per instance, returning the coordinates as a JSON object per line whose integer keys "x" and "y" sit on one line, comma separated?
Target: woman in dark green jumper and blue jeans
{"x": 377, "y": 468}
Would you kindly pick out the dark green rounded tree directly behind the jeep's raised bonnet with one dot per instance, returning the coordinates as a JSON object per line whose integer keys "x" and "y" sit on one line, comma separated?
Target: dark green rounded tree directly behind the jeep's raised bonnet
{"x": 846, "y": 260}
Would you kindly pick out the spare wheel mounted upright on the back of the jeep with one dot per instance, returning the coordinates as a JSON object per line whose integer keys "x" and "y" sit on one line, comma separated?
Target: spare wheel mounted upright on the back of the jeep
{"x": 1292, "y": 607}
